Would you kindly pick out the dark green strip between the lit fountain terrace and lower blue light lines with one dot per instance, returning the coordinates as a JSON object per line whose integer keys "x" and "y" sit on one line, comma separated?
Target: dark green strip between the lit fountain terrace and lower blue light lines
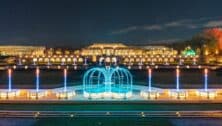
{"x": 109, "y": 106}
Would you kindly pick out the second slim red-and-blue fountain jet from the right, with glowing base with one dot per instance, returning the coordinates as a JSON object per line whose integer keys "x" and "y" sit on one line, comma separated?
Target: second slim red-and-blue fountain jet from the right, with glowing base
{"x": 178, "y": 93}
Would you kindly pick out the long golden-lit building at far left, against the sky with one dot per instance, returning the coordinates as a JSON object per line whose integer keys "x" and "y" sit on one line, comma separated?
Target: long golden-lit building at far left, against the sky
{"x": 21, "y": 50}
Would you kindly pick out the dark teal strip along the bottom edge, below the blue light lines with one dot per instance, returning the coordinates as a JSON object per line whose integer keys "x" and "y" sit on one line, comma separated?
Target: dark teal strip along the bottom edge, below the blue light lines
{"x": 111, "y": 122}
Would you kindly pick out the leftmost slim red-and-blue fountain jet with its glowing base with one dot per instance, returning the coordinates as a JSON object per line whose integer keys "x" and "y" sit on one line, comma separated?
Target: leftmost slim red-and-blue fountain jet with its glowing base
{"x": 9, "y": 93}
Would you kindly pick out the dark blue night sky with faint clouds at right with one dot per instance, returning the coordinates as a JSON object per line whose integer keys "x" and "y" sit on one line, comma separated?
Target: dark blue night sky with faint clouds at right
{"x": 80, "y": 22}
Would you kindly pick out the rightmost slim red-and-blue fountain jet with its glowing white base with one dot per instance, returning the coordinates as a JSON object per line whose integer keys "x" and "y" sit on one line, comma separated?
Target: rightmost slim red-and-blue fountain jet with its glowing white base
{"x": 206, "y": 93}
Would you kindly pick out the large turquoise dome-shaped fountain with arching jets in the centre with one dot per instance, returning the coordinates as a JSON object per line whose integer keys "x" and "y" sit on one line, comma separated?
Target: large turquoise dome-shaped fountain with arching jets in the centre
{"x": 108, "y": 82}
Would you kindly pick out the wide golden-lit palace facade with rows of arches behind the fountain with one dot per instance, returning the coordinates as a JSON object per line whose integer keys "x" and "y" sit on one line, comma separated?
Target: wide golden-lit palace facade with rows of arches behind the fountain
{"x": 110, "y": 53}
